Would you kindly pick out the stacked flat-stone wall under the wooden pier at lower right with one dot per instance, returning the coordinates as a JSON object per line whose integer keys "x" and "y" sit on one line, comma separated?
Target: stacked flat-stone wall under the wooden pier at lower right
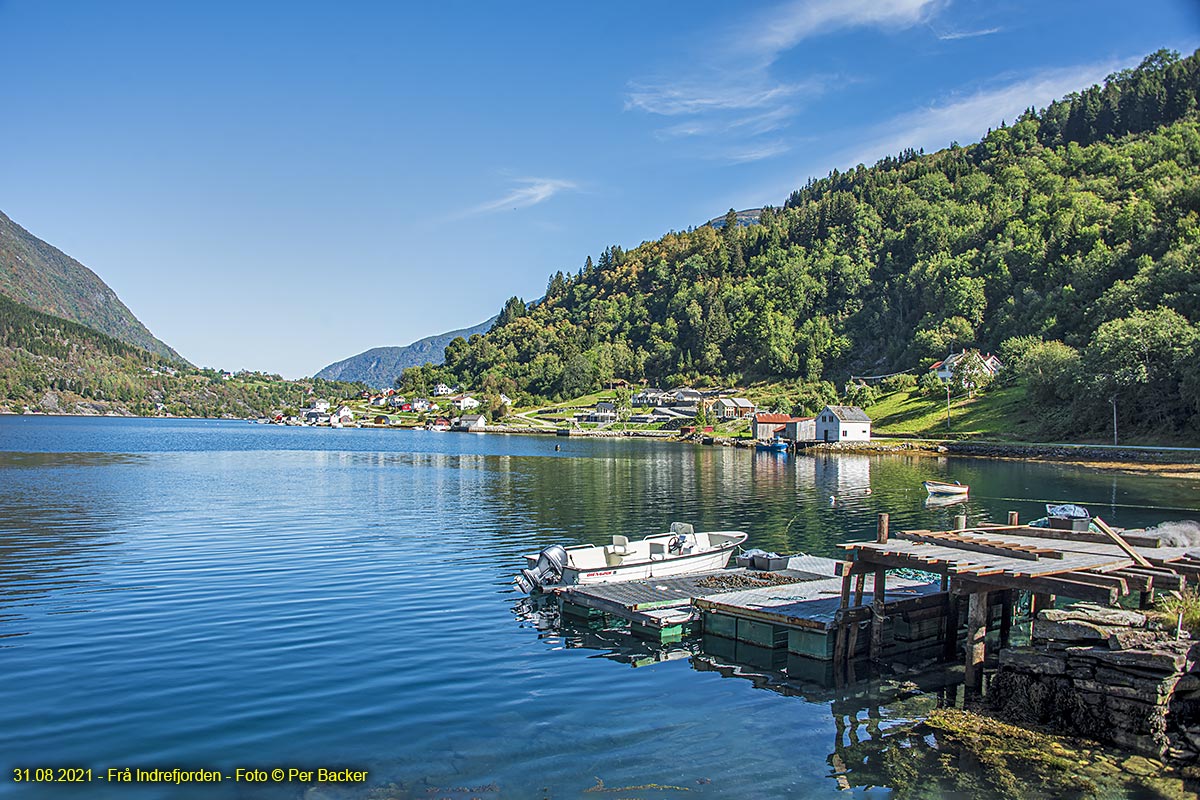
{"x": 1105, "y": 675}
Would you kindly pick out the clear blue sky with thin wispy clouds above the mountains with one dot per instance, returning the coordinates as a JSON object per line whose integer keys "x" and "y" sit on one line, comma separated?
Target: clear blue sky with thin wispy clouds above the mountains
{"x": 279, "y": 187}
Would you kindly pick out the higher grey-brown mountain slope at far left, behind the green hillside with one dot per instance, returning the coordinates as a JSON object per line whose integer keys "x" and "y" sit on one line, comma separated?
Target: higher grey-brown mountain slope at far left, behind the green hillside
{"x": 44, "y": 278}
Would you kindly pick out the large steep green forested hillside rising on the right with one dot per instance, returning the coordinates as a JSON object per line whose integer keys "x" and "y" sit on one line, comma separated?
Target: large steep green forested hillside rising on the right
{"x": 1071, "y": 219}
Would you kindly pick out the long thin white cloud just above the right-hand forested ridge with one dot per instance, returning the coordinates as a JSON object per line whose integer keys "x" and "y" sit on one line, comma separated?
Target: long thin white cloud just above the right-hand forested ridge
{"x": 968, "y": 118}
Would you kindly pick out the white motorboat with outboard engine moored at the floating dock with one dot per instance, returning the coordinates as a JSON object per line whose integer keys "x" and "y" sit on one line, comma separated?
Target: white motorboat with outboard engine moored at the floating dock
{"x": 659, "y": 556}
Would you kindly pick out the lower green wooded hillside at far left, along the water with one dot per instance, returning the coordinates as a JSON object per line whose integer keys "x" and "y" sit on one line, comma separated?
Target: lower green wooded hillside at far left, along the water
{"x": 55, "y": 365}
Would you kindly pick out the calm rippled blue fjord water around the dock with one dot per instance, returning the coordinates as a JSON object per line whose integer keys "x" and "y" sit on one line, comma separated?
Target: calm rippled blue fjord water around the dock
{"x": 202, "y": 594}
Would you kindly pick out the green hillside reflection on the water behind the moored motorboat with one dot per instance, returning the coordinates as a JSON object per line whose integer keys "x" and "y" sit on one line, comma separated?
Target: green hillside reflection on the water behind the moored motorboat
{"x": 796, "y": 503}
